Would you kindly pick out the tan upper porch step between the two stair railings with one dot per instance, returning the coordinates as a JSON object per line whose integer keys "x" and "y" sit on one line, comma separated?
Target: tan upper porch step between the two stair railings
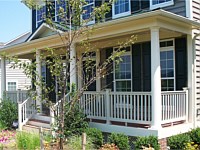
{"x": 39, "y": 123}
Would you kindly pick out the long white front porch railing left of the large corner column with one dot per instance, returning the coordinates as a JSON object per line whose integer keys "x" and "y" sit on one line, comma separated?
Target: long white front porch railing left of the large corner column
{"x": 129, "y": 107}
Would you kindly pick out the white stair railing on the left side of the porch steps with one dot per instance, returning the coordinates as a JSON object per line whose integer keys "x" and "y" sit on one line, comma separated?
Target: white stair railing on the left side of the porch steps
{"x": 26, "y": 109}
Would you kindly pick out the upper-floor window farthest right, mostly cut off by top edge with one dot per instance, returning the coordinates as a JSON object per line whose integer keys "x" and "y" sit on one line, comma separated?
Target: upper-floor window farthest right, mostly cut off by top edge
{"x": 160, "y": 3}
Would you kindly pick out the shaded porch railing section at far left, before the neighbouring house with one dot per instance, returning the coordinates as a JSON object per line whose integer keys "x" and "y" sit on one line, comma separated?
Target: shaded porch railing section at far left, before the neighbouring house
{"x": 16, "y": 96}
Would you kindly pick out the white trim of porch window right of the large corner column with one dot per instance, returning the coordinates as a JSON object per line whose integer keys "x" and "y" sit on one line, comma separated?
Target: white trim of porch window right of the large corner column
{"x": 167, "y": 48}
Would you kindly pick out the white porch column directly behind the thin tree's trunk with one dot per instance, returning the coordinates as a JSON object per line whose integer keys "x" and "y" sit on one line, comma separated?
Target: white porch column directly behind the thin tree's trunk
{"x": 73, "y": 65}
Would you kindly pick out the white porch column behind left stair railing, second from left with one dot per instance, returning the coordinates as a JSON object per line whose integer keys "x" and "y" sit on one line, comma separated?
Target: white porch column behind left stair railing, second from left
{"x": 38, "y": 78}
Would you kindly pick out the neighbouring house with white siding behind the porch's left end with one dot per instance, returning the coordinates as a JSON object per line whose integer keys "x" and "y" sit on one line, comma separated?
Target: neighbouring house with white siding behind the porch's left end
{"x": 15, "y": 78}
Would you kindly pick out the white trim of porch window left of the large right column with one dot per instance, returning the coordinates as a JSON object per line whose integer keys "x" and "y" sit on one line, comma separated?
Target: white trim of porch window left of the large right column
{"x": 131, "y": 79}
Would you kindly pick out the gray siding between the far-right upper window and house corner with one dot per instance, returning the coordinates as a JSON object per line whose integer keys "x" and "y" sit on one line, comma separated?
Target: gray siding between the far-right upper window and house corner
{"x": 178, "y": 8}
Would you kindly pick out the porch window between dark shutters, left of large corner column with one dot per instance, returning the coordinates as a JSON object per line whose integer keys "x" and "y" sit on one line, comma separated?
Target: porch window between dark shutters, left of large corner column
{"x": 123, "y": 72}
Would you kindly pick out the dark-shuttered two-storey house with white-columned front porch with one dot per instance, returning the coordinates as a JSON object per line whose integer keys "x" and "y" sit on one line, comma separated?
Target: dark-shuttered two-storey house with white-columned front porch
{"x": 157, "y": 89}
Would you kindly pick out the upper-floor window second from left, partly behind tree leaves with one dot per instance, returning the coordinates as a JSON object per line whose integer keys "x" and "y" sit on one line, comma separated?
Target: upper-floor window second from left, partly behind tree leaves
{"x": 60, "y": 10}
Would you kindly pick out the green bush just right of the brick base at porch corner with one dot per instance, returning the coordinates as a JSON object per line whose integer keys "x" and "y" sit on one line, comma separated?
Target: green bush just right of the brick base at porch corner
{"x": 178, "y": 141}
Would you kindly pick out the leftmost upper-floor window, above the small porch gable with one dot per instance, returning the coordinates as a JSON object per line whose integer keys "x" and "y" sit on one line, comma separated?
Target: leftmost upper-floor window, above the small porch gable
{"x": 40, "y": 15}
